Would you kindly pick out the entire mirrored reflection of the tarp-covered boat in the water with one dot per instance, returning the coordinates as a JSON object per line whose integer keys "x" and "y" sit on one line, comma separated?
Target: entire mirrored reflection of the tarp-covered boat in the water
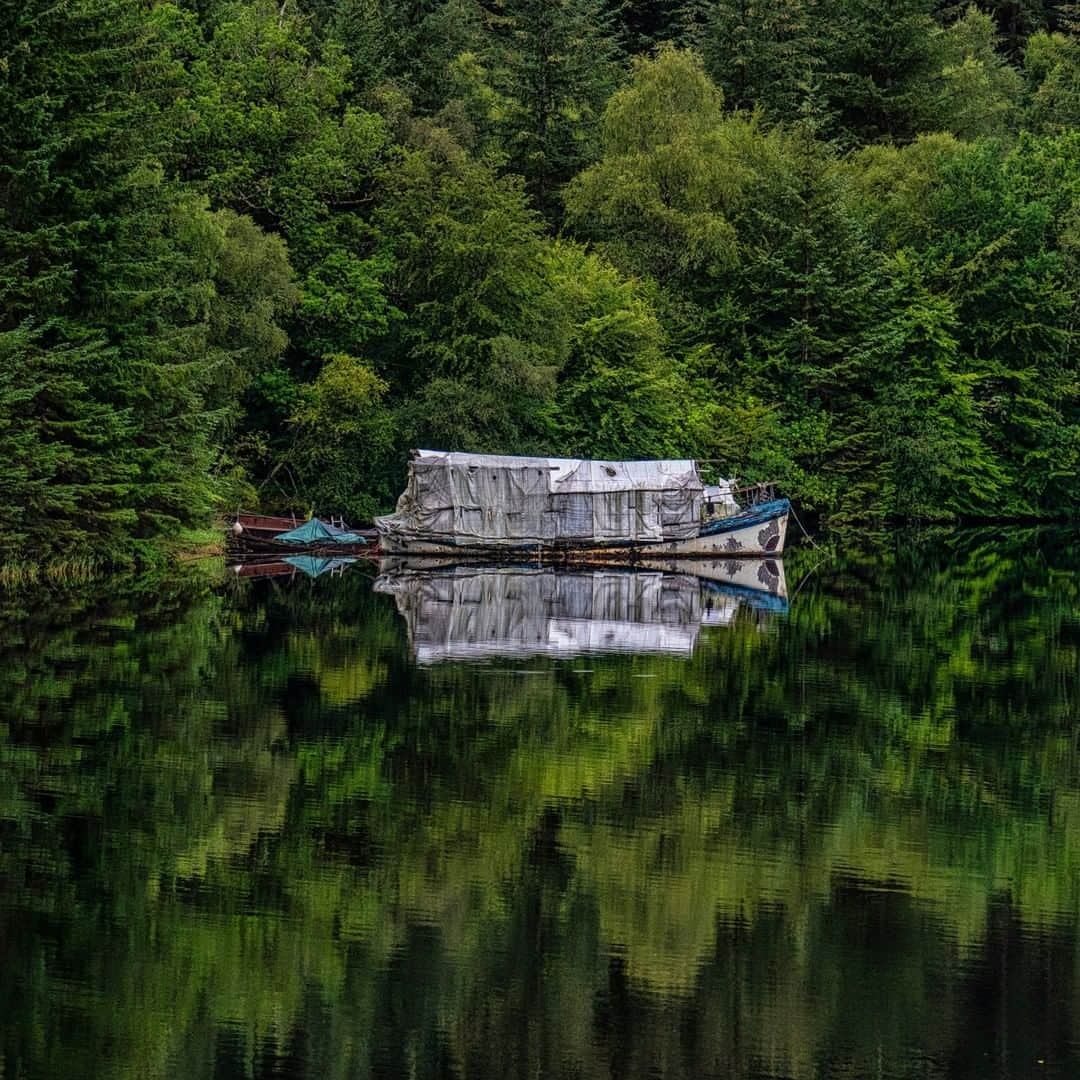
{"x": 480, "y": 613}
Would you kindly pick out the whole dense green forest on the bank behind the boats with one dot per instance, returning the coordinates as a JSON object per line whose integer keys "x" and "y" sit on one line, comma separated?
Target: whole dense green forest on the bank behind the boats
{"x": 251, "y": 252}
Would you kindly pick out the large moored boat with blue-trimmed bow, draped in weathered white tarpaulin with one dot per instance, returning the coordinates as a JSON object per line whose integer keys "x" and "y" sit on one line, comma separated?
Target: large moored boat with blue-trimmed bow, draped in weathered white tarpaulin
{"x": 480, "y": 505}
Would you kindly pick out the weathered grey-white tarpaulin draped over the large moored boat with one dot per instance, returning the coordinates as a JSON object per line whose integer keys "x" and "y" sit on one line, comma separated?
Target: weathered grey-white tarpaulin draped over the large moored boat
{"x": 480, "y": 498}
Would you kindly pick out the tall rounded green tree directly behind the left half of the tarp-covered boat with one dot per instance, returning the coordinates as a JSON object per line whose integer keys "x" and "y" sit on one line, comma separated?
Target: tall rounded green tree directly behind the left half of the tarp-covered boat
{"x": 475, "y": 361}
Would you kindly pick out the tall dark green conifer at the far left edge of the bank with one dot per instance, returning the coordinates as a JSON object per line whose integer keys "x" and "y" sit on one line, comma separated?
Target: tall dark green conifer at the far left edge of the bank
{"x": 107, "y": 275}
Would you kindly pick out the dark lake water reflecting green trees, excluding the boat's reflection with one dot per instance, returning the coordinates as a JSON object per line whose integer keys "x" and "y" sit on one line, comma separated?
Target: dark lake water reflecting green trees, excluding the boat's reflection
{"x": 245, "y": 833}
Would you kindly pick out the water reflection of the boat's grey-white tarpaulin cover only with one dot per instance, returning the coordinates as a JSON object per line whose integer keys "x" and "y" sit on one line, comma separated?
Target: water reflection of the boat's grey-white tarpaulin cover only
{"x": 470, "y": 614}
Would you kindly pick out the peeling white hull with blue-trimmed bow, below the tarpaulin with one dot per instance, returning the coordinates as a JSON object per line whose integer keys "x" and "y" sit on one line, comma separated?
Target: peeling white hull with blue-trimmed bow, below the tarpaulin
{"x": 757, "y": 534}
